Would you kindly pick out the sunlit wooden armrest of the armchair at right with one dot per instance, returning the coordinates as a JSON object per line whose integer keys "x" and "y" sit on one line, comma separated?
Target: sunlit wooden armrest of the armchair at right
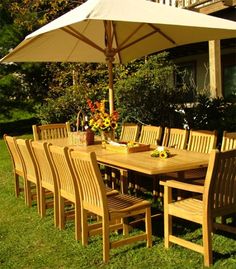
{"x": 182, "y": 185}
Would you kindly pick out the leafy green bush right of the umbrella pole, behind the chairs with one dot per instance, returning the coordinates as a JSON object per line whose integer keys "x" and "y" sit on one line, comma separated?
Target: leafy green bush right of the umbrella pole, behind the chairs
{"x": 149, "y": 94}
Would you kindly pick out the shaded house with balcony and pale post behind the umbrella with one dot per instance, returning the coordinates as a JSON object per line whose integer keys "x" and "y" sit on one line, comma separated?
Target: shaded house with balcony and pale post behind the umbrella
{"x": 209, "y": 66}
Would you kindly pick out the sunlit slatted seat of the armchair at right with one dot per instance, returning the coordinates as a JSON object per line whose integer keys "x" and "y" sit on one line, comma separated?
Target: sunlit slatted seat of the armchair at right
{"x": 190, "y": 209}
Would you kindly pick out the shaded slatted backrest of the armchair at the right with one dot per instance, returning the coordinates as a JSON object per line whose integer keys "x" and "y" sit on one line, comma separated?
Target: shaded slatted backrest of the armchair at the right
{"x": 220, "y": 183}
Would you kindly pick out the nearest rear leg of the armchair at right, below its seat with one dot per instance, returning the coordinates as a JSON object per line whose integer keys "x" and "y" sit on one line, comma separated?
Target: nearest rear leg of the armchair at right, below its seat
{"x": 207, "y": 242}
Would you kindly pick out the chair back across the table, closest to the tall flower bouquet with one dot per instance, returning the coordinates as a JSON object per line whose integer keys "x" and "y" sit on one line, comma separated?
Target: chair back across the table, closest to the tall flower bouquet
{"x": 129, "y": 132}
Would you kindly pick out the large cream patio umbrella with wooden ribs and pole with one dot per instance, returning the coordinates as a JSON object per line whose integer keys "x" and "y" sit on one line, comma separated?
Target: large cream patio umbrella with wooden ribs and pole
{"x": 117, "y": 31}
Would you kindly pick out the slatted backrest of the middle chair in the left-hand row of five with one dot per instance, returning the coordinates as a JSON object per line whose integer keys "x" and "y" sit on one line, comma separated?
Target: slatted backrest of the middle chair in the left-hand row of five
{"x": 41, "y": 154}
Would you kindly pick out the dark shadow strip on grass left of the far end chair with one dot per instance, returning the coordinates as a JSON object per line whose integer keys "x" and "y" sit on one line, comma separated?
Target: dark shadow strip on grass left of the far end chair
{"x": 18, "y": 127}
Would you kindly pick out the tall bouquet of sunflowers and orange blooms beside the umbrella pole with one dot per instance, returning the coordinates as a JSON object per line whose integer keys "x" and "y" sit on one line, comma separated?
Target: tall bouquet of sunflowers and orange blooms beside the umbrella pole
{"x": 100, "y": 120}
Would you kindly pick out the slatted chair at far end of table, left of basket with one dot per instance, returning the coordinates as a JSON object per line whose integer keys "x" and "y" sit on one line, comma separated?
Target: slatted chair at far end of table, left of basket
{"x": 51, "y": 131}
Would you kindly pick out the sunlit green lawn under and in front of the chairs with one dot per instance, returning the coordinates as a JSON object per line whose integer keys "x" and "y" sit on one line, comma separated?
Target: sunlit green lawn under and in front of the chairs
{"x": 26, "y": 241}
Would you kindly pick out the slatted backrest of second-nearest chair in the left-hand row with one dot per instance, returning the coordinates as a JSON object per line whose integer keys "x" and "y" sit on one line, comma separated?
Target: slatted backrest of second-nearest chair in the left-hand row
{"x": 65, "y": 179}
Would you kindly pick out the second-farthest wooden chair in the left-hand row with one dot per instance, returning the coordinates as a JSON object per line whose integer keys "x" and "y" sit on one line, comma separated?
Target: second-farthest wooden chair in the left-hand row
{"x": 30, "y": 172}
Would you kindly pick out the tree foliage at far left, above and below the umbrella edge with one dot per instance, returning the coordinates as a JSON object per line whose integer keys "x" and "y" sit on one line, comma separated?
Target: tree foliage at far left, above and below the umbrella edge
{"x": 24, "y": 83}
